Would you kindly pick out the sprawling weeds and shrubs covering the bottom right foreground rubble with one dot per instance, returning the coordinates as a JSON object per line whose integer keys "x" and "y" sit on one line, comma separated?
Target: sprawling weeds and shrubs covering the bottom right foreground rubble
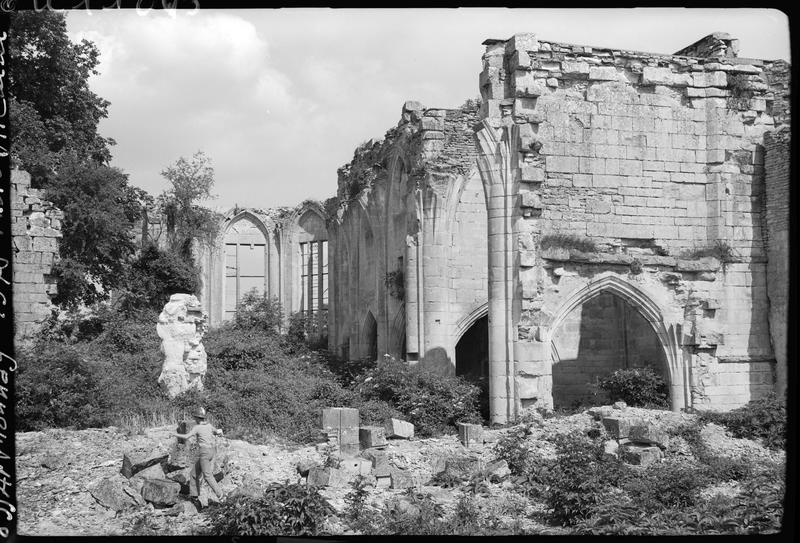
{"x": 591, "y": 493}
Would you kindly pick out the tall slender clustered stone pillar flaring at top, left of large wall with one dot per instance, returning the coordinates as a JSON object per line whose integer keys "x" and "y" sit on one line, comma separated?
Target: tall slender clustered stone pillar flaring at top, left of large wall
{"x": 496, "y": 161}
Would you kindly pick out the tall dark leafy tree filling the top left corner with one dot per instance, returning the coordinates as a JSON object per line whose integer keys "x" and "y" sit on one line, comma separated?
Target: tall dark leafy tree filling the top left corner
{"x": 53, "y": 112}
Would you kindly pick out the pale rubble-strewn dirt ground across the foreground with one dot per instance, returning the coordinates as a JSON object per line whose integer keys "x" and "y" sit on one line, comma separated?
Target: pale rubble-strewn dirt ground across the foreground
{"x": 57, "y": 469}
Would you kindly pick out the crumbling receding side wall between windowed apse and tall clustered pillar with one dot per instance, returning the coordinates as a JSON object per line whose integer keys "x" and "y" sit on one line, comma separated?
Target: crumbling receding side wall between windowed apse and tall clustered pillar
{"x": 410, "y": 204}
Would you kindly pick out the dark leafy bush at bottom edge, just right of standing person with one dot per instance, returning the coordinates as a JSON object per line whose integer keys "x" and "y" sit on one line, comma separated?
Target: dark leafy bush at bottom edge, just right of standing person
{"x": 284, "y": 509}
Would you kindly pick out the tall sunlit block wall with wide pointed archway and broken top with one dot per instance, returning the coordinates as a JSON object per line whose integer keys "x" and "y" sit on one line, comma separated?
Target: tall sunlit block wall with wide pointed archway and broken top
{"x": 655, "y": 159}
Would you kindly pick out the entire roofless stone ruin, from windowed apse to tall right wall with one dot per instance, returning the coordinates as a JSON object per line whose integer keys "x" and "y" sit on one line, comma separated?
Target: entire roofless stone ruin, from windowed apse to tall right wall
{"x": 597, "y": 209}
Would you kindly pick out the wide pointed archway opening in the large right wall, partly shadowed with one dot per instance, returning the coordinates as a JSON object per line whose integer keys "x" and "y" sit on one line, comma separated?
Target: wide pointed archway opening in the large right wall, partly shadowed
{"x": 596, "y": 338}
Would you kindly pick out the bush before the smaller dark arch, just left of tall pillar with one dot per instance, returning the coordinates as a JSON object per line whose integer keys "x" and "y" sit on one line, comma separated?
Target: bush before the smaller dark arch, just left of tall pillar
{"x": 432, "y": 402}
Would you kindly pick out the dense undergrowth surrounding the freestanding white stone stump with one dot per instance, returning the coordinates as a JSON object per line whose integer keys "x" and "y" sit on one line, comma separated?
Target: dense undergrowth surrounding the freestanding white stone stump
{"x": 102, "y": 368}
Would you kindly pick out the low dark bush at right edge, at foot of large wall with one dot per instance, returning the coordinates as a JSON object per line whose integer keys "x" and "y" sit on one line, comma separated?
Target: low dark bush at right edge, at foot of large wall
{"x": 762, "y": 419}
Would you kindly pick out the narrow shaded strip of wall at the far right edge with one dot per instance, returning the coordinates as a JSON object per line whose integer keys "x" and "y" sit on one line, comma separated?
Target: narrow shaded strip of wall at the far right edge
{"x": 777, "y": 147}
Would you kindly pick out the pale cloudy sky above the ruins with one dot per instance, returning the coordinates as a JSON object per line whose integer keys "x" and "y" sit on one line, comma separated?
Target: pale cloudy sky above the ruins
{"x": 279, "y": 99}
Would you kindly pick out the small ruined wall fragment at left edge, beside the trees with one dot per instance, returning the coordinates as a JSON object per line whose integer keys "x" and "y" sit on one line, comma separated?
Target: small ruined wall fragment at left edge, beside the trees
{"x": 35, "y": 230}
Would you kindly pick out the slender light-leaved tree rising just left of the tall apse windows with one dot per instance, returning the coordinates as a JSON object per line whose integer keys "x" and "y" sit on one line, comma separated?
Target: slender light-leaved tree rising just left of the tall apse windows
{"x": 188, "y": 221}
